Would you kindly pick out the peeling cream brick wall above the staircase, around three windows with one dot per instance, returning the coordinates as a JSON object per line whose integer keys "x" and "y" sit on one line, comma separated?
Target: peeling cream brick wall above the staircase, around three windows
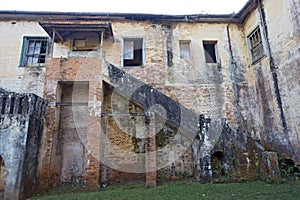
{"x": 201, "y": 87}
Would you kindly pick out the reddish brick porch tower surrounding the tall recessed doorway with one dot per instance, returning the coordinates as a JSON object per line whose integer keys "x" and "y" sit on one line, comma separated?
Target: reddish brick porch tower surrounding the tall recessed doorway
{"x": 64, "y": 70}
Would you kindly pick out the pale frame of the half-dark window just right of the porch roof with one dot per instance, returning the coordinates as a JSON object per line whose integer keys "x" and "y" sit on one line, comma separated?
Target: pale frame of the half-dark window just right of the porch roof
{"x": 143, "y": 57}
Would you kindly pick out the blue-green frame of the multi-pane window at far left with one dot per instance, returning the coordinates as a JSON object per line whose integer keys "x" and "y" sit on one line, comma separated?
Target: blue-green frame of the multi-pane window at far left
{"x": 25, "y": 55}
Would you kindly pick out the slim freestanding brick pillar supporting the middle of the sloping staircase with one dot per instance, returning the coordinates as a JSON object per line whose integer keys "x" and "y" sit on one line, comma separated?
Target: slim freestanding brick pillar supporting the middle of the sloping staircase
{"x": 150, "y": 150}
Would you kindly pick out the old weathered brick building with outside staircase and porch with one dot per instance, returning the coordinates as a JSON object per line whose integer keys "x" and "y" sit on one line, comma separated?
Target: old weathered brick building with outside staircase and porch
{"x": 140, "y": 97}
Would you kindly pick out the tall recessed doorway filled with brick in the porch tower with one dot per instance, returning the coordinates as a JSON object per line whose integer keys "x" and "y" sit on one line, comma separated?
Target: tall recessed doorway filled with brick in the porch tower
{"x": 73, "y": 130}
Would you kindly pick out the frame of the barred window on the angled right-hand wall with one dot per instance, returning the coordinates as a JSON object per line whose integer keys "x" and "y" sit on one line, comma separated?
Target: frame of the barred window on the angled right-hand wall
{"x": 259, "y": 45}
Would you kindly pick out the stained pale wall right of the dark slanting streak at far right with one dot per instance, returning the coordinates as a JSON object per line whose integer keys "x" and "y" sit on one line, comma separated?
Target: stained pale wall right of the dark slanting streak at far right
{"x": 284, "y": 33}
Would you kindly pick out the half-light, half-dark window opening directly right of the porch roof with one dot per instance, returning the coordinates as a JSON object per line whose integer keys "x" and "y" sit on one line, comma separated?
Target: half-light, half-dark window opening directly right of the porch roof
{"x": 133, "y": 52}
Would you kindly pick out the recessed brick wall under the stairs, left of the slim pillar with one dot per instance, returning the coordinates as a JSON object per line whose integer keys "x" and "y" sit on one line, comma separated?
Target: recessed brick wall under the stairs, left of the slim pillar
{"x": 123, "y": 145}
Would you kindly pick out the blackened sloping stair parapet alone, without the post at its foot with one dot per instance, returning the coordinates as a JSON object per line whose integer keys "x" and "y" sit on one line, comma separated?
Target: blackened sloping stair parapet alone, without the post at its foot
{"x": 176, "y": 115}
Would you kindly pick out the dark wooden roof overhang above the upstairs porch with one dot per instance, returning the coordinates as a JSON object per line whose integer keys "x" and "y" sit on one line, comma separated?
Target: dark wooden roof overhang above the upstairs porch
{"x": 63, "y": 30}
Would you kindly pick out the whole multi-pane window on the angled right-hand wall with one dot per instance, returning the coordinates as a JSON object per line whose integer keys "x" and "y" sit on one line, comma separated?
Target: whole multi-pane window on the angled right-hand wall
{"x": 255, "y": 45}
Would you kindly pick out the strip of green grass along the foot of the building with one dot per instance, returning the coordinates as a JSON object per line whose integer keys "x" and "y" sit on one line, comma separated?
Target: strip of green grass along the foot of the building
{"x": 179, "y": 190}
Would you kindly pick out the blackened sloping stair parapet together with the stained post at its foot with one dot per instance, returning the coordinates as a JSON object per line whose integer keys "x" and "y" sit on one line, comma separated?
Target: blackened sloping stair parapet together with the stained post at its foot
{"x": 188, "y": 123}
